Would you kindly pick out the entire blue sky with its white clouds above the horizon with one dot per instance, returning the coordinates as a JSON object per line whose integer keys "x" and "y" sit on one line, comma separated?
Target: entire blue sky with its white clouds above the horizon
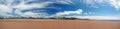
{"x": 54, "y": 8}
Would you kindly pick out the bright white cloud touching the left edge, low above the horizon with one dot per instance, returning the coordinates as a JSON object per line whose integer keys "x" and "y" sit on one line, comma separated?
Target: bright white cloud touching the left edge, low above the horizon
{"x": 4, "y": 10}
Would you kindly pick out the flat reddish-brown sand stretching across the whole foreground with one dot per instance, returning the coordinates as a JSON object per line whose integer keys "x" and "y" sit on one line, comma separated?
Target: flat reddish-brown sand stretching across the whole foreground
{"x": 58, "y": 24}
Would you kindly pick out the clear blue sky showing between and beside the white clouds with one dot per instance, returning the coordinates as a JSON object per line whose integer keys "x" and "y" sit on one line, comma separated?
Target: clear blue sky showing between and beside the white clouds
{"x": 99, "y": 9}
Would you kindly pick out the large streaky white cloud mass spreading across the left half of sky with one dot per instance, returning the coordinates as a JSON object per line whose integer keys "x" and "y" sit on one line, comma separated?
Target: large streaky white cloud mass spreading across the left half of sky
{"x": 15, "y": 7}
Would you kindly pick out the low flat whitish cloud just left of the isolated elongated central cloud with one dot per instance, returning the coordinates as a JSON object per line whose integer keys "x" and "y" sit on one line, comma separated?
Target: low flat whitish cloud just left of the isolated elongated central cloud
{"x": 32, "y": 14}
